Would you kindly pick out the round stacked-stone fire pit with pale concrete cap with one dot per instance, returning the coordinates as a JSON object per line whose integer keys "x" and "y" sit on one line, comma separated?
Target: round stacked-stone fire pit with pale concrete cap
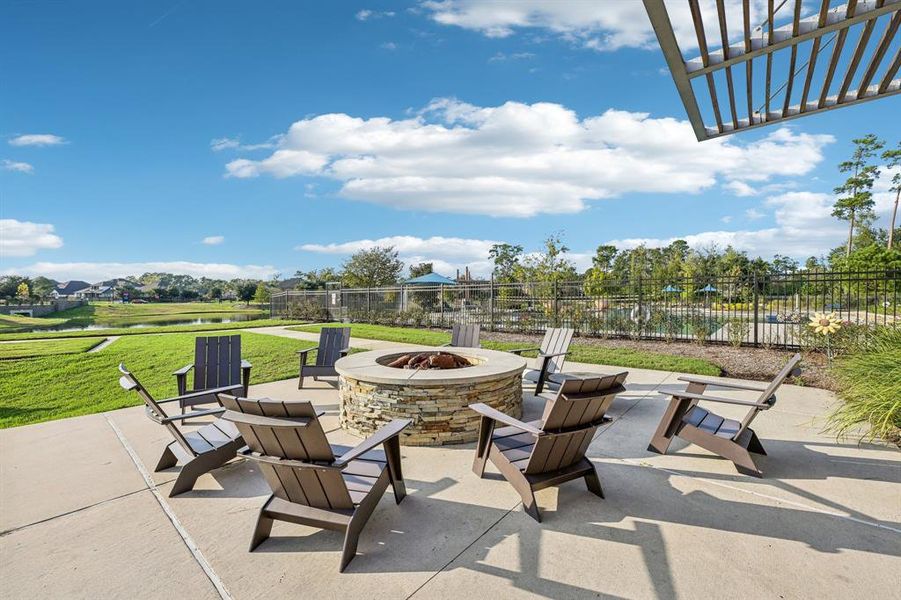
{"x": 437, "y": 400}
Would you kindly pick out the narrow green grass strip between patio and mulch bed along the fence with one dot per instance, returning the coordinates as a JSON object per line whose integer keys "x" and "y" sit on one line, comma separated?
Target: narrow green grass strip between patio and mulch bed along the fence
{"x": 579, "y": 353}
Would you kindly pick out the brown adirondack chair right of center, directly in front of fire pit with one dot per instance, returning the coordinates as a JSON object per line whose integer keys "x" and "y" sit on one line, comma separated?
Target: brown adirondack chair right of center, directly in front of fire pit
{"x": 550, "y": 451}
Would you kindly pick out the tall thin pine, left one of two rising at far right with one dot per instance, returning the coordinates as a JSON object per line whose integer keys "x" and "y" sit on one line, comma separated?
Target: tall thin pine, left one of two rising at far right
{"x": 855, "y": 196}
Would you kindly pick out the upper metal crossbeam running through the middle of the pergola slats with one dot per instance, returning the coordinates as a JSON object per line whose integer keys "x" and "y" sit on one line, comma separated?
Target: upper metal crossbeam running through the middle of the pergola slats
{"x": 783, "y": 37}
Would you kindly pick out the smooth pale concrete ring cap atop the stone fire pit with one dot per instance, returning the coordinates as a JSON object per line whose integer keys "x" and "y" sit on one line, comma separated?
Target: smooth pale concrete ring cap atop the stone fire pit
{"x": 489, "y": 364}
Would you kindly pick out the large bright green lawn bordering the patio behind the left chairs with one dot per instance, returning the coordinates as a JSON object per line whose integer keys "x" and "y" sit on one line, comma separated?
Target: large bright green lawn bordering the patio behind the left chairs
{"x": 66, "y": 385}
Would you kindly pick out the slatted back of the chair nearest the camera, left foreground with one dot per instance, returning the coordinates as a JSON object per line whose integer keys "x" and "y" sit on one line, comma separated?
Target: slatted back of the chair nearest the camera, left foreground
{"x": 277, "y": 431}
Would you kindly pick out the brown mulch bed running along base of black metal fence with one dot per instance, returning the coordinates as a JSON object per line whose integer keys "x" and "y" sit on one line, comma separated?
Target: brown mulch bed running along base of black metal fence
{"x": 741, "y": 363}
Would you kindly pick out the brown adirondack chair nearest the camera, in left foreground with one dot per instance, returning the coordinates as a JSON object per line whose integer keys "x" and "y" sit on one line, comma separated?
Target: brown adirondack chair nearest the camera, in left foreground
{"x": 310, "y": 485}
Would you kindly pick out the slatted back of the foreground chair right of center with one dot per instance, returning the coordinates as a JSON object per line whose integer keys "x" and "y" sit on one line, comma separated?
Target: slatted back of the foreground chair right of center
{"x": 571, "y": 421}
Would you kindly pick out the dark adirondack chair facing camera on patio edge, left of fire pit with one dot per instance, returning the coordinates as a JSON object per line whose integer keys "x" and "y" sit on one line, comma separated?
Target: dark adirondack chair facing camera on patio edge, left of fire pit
{"x": 217, "y": 364}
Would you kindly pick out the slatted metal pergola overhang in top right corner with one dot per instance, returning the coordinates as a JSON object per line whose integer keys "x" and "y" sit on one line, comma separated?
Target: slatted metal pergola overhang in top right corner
{"x": 824, "y": 80}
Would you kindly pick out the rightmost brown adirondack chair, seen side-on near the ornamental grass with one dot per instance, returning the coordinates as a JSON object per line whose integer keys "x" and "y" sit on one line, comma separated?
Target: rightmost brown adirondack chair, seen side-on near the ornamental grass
{"x": 730, "y": 439}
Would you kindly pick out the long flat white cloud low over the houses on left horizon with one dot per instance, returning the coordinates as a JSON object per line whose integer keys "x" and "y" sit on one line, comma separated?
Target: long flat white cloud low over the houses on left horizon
{"x": 97, "y": 271}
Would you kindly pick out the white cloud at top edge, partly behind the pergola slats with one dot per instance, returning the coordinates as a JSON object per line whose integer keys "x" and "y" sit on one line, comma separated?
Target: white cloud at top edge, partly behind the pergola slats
{"x": 595, "y": 25}
